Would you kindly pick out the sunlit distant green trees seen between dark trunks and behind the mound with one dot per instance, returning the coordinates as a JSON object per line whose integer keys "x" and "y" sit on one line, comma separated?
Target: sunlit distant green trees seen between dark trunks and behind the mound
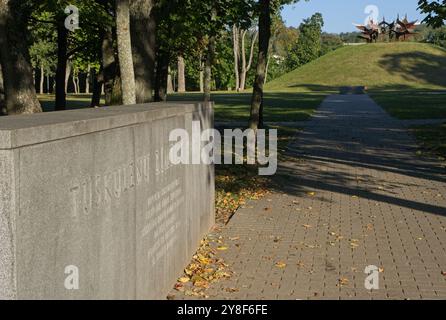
{"x": 235, "y": 57}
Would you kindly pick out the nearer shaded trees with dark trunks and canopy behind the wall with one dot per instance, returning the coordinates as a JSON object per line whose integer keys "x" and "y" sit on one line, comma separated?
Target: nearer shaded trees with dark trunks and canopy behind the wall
{"x": 127, "y": 46}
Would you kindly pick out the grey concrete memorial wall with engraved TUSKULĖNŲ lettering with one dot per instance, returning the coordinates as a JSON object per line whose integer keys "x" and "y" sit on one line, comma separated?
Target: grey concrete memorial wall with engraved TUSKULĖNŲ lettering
{"x": 92, "y": 208}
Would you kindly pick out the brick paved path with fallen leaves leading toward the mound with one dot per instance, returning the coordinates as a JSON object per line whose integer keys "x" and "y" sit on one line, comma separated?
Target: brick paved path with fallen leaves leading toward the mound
{"x": 355, "y": 196}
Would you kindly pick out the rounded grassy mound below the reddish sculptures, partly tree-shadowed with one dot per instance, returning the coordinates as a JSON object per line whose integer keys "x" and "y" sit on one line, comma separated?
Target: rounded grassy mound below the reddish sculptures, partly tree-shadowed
{"x": 383, "y": 66}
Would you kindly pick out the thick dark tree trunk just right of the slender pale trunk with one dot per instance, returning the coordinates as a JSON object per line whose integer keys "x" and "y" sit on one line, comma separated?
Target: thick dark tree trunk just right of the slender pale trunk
{"x": 143, "y": 31}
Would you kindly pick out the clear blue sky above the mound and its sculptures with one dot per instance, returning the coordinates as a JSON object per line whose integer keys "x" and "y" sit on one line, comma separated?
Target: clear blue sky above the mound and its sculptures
{"x": 340, "y": 14}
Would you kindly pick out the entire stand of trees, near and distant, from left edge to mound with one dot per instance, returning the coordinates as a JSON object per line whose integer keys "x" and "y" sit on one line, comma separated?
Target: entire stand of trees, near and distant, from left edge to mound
{"x": 131, "y": 51}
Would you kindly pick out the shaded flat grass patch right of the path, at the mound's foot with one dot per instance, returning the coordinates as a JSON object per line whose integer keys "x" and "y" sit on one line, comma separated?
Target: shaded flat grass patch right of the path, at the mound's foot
{"x": 414, "y": 104}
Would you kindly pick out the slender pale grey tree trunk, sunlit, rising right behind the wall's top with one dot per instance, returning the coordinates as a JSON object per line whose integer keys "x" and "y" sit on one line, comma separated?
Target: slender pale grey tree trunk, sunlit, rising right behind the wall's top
{"x": 125, "y": 52}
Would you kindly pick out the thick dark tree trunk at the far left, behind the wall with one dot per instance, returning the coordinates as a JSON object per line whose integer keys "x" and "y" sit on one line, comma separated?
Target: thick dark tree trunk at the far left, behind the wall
{"x": 18, "y": 84}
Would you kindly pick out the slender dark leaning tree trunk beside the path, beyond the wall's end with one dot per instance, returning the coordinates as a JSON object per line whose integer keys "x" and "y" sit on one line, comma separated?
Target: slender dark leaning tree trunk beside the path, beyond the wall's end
{"x": 256, "y": 118}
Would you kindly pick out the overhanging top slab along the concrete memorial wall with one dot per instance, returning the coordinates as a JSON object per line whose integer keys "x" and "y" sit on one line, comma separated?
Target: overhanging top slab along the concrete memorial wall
{"x": 25, "y": 130}
